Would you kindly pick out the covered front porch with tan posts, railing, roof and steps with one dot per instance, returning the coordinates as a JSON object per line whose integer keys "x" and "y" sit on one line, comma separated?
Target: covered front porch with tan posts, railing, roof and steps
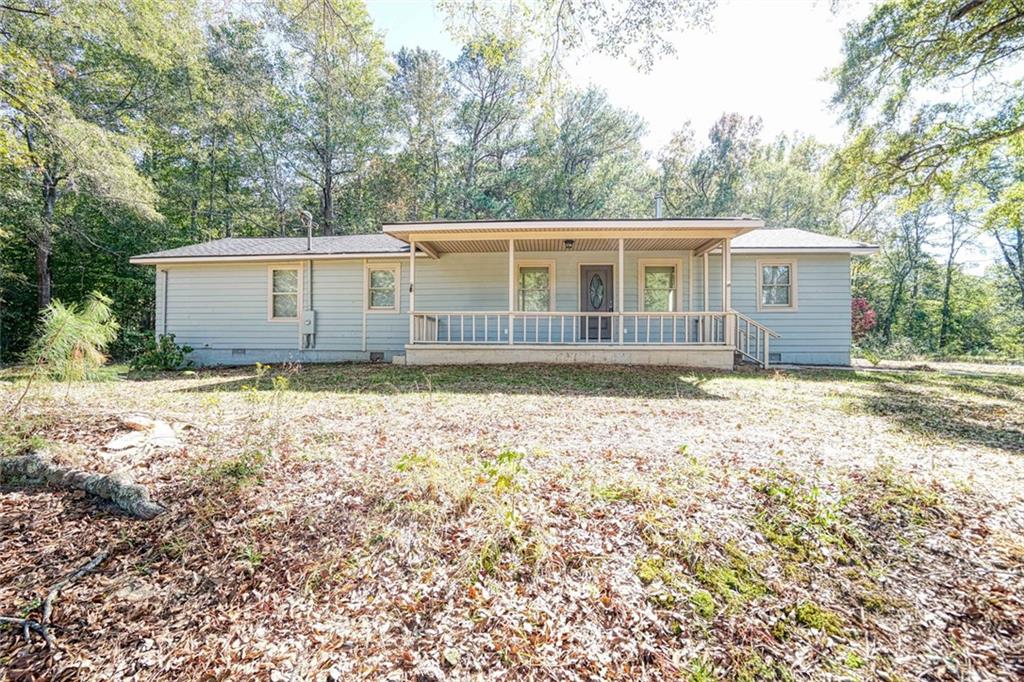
{"x": 601, "y": 291}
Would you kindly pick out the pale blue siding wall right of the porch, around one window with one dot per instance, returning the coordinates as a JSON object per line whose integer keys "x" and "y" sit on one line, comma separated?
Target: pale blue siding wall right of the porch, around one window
{"x": 819, "y": 332}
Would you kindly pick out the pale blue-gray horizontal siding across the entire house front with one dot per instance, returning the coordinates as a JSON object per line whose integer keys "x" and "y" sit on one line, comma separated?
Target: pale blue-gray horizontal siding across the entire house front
{"x": 222, "y": 310}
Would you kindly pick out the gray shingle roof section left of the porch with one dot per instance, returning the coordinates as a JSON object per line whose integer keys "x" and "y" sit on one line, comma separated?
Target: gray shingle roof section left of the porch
{"x": 286, "y": 246}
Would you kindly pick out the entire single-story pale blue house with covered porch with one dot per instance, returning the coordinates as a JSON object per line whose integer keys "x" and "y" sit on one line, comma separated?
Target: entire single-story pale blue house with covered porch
{"x": 701, "y": 292}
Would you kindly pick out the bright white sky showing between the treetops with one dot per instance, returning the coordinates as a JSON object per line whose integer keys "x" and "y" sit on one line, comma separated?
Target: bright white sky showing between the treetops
{"x": 764, "y": 58}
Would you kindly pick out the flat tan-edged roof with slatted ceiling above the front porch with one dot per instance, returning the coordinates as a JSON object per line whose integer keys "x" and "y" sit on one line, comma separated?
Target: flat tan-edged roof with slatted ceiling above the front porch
{"x": 592, "y": 235}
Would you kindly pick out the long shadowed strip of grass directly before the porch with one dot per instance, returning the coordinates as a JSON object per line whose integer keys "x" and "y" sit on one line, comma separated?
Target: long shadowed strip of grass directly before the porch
{"x": 655, "y": 382}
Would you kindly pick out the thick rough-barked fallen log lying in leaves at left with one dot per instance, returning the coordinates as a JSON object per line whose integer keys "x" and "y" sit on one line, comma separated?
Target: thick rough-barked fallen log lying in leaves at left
{"x": 118, "y": 488}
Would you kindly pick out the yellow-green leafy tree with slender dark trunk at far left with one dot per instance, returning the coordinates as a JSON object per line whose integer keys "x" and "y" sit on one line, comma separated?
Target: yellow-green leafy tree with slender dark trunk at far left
{"x": 74, "y": 77}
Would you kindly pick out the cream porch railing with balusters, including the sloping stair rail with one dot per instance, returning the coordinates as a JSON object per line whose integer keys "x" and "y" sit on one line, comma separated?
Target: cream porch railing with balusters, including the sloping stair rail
{"x": 605, "y": 329}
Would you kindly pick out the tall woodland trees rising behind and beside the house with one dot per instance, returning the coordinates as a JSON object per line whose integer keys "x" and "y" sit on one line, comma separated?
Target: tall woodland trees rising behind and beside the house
{"x": 231, "y": 129}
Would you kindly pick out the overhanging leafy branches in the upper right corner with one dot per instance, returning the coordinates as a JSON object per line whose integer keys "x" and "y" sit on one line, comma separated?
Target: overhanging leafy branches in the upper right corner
{"x": 900, "y": 90}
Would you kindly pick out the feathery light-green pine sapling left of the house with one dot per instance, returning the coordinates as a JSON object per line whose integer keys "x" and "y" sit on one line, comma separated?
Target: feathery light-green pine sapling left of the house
{"x": 73, "y": 338}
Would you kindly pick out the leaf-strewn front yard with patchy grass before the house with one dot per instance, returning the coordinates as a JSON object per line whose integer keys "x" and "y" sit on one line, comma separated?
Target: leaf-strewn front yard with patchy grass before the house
{"x": 385, "y": 523}
